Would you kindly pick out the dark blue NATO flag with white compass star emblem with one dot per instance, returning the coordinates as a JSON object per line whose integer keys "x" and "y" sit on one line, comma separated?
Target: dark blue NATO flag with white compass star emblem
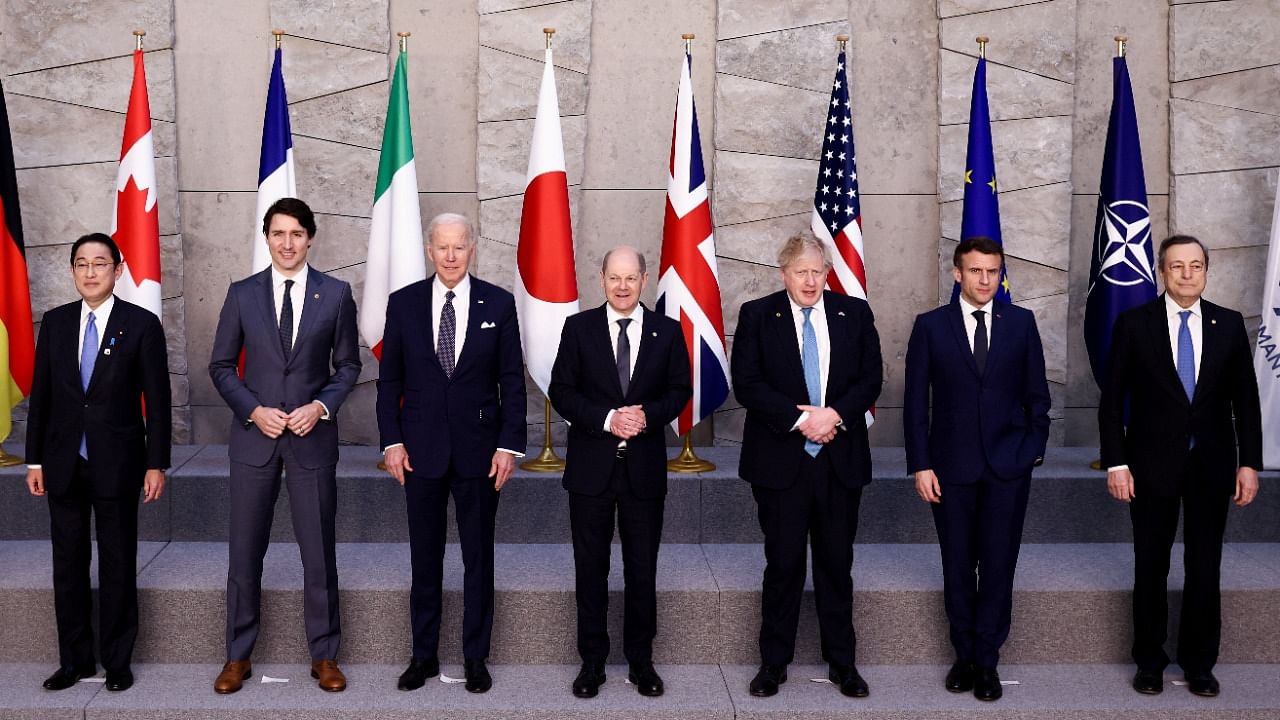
{"x": 1122, "y": 272}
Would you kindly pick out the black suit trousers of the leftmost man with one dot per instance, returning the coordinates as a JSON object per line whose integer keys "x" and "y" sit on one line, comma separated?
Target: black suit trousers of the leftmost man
{"x": 117, "y": 523}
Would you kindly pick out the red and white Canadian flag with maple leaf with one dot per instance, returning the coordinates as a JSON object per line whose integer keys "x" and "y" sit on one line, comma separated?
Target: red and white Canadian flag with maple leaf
{"x": 136, "y": 222}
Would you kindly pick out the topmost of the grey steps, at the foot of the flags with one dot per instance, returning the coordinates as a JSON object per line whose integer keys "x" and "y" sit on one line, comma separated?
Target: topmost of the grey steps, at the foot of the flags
{"x": 1068, "y": 504}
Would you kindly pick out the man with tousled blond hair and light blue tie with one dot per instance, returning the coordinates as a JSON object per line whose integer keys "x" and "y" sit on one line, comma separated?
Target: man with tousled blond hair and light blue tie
{"x": 807, "y": 367}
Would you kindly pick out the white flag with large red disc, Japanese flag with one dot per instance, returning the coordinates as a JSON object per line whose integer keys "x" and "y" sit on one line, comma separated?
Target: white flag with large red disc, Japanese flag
{"x": 546, "y": 281}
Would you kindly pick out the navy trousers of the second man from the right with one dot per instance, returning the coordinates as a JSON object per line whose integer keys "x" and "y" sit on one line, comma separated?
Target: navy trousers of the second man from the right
{"x": 980, "y": 534}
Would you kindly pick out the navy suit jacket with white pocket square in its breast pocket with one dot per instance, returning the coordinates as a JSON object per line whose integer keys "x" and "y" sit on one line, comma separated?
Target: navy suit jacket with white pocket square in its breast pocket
{"x": 460, "y": 420}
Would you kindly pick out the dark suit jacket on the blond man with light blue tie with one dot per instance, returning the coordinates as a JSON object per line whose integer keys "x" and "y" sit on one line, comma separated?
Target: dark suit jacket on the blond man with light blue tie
{"x": 769, "y": 381}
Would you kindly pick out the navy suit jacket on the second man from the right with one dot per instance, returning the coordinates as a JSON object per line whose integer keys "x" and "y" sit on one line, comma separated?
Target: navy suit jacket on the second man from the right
{"x": 998, "y": 420}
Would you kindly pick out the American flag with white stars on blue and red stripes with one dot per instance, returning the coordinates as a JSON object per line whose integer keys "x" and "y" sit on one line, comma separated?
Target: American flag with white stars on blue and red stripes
{"x": 838, "y": 211}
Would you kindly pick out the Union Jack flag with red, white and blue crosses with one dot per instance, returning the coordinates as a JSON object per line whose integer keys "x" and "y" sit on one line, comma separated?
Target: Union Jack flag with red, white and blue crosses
{"x": 688, "y": 281}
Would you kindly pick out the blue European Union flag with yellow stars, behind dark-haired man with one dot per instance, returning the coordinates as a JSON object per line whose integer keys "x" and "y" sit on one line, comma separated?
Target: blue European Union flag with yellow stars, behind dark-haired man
{"x": 981, "y": 200}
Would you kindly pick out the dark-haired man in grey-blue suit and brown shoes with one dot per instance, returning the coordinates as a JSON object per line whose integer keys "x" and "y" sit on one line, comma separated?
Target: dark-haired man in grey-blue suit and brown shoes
{"x": 298, "y": 330}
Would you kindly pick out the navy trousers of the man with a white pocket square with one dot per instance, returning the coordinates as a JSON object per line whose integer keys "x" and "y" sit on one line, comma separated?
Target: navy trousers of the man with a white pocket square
{"x": 476, "y": 504}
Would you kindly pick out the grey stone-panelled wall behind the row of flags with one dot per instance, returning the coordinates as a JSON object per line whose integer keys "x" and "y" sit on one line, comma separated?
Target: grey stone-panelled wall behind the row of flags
{"x": 1206, "y": 83}
